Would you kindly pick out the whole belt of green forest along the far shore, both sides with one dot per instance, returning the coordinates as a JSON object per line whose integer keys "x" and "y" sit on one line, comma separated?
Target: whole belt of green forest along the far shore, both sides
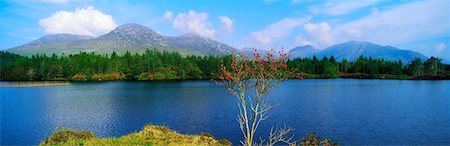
{"x": 156, "y": 65}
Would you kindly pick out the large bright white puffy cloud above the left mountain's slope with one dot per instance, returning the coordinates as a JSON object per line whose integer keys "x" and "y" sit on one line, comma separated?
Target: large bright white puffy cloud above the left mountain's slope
{"x": 82, "y": 21}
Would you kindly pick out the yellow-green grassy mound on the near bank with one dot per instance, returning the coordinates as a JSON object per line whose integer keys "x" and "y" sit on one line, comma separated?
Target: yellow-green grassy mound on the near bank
{"x": 150, "y": 135}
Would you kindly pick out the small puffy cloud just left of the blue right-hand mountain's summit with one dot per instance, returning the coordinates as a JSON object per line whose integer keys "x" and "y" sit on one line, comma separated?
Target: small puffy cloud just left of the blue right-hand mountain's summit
{"x": 318, "y": 35}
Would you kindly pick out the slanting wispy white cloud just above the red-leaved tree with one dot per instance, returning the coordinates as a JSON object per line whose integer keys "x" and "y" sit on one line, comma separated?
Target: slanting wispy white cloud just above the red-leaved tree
{"x": 275, "y": 32}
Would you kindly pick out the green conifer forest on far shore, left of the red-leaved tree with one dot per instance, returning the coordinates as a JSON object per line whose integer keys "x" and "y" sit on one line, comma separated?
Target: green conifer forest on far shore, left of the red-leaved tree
{"x": 151, "y": 65}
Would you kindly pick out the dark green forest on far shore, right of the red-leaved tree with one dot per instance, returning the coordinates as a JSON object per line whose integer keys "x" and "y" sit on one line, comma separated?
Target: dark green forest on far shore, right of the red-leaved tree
{"x": 370, "y": 68}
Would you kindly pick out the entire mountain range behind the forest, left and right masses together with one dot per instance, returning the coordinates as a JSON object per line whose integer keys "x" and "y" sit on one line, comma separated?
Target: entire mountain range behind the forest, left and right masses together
{"x": 136, "y": 38}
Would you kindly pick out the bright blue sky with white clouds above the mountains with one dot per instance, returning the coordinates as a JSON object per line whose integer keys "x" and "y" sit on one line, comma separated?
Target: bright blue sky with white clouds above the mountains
{"x": 422, "y": 25}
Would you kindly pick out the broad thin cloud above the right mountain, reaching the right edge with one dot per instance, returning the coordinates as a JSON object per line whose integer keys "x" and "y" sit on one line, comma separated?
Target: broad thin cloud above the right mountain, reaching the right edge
{"x": 405, "y": 23}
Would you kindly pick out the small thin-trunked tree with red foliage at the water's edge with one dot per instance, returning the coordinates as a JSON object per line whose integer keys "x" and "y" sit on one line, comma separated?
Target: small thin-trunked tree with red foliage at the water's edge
{"x": 250, "y": 80}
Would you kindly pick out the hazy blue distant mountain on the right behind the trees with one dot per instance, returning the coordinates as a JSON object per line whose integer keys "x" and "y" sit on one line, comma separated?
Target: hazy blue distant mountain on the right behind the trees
{"x": 353, "y": 49}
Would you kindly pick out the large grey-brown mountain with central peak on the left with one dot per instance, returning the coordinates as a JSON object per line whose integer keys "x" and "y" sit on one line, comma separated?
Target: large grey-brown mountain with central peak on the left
{"x": 130, "y": 37}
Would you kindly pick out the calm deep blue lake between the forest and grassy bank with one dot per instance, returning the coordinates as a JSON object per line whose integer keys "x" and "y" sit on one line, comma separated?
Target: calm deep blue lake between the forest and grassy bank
{"x": 351, "y": 111}
